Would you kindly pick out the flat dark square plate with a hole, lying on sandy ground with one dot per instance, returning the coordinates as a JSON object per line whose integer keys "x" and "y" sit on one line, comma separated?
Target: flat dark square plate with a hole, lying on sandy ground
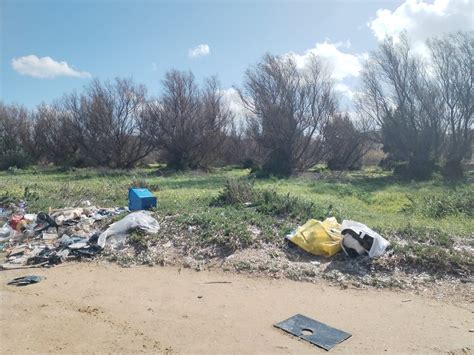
{"x": 311, "y": 330}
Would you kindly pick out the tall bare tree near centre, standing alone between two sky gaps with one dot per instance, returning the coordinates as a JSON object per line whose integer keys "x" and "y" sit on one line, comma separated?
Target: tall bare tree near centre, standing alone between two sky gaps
{"x": 291, "y": 108}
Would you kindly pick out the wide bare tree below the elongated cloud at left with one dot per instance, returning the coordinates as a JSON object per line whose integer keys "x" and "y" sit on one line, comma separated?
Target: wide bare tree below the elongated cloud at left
{"x": 108, "y": 122}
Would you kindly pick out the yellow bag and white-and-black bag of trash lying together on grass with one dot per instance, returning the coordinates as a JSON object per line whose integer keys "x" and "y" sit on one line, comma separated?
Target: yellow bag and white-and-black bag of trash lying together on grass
{"x": 328, "y": 237}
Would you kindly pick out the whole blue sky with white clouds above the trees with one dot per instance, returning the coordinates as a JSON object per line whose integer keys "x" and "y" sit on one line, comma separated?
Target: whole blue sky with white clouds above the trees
{"x": 52, "y": 47}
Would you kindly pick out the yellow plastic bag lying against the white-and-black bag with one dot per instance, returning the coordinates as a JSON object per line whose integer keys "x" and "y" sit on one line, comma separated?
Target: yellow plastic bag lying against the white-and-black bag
{"x": 319, "y": 238}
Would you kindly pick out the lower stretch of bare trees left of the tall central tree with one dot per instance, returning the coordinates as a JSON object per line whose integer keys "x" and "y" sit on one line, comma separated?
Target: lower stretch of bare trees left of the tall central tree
{"x": 114, "y": 124}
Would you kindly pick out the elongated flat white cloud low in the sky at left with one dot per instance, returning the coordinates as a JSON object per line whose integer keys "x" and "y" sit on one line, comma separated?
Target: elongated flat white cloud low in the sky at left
{"x": 45, "y": 67}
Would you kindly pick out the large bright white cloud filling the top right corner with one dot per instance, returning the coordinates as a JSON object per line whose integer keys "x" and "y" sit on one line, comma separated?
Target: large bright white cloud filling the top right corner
{"x": 422, "y": 20}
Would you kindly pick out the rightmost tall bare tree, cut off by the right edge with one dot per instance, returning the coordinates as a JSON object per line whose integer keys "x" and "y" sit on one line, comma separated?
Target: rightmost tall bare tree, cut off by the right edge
{"x": 453, "y": 63}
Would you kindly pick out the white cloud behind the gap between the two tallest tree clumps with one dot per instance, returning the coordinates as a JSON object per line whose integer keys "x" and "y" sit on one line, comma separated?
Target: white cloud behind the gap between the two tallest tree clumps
{"x": 341, "y": 64}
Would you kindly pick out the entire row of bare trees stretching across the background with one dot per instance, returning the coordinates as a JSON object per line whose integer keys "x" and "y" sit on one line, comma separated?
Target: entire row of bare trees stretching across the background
{"x": 418, "y": 106}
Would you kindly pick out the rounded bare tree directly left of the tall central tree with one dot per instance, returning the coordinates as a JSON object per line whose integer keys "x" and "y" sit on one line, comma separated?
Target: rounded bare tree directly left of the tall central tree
{"x": 187, "y": 123}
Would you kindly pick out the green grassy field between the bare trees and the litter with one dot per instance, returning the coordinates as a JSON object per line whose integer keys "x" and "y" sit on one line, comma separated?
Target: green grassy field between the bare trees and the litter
{"x": 423, "y": 220}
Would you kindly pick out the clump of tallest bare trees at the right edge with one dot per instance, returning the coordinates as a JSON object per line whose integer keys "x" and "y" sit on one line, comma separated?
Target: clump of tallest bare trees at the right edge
{"x": 424, "y": 107}
